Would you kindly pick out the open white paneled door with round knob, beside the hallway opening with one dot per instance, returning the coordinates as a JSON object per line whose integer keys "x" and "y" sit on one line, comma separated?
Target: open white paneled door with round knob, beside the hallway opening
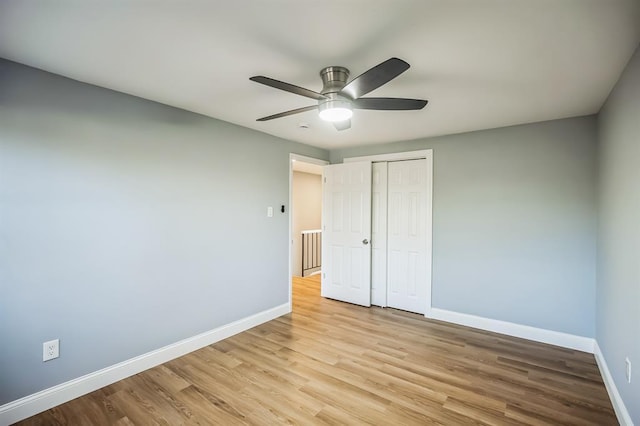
{"x": 346, "y": 215}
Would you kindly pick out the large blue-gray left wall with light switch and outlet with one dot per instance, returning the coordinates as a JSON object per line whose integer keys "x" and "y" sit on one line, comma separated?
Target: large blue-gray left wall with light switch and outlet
{"x": 124, "y": 226}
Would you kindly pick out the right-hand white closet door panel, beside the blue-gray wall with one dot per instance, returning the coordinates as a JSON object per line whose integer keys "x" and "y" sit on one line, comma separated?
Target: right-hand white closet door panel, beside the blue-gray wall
{"x": 407, "y": 236}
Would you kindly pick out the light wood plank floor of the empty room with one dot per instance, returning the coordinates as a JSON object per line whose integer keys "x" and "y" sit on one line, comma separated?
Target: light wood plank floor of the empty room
{"x": 334, "y": 363}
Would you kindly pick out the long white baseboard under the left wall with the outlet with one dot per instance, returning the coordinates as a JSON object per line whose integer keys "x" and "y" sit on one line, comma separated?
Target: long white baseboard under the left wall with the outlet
{"x": 33, "y": 404}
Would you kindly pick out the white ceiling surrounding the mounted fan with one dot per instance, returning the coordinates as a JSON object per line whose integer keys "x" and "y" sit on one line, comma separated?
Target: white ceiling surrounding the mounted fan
{"x": 481, "y": 64}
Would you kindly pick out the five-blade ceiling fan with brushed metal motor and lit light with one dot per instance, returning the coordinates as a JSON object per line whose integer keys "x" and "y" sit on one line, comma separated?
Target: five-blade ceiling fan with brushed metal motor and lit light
{"x": 338, "y": 98}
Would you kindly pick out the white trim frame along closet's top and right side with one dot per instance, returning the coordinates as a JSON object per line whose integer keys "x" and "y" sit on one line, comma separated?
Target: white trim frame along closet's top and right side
{"x": 415, "y": 155}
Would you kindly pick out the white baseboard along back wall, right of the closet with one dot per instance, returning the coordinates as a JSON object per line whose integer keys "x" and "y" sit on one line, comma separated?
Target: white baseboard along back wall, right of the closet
{"x": 570, "y": 341}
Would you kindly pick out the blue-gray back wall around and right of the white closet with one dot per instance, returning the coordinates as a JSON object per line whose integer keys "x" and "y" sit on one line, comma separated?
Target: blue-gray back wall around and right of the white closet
{"x": 514, "y": 222}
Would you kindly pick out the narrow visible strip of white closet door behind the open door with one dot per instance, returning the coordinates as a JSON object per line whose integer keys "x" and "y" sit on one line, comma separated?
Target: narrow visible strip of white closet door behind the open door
{"x": 379, "y": 234}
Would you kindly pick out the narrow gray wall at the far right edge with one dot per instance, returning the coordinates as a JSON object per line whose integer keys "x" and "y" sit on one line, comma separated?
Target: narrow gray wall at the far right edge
{"x": 618, "y": 307}
